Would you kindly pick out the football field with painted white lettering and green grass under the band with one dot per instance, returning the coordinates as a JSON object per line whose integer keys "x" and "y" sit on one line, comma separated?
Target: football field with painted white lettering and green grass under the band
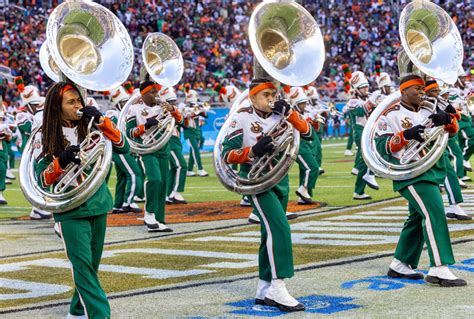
{"x": 208, "y": 269}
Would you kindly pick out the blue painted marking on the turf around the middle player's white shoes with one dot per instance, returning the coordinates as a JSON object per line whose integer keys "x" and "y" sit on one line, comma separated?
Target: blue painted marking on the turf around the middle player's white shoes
{"x": 314, "y": 304}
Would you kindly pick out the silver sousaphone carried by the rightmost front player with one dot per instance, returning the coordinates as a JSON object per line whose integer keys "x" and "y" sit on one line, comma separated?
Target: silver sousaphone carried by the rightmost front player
{"x": 431, "y": 43}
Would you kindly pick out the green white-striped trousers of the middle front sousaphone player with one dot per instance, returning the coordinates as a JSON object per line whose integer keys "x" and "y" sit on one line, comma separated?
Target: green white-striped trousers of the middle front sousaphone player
{"x": 275, "y": 257}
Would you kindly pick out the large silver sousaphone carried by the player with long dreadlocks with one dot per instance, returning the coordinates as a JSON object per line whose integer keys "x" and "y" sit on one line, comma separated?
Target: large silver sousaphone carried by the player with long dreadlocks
{"x": 80, "y": 37}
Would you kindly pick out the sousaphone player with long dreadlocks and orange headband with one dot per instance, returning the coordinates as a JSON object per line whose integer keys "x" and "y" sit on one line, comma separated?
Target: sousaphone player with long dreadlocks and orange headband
{"x": 83, "y": 228}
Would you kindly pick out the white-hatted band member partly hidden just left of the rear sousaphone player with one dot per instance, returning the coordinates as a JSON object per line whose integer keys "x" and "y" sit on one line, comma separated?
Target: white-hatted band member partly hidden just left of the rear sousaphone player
{"x": 129, "y": 175}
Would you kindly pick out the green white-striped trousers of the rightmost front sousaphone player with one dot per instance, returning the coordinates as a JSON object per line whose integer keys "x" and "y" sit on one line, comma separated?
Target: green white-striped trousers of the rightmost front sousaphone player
{"x": 426, "y": 223}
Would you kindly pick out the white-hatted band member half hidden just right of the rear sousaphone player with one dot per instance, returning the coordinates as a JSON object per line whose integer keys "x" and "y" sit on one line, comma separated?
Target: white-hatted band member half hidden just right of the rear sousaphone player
{"x": 178, "y": 166}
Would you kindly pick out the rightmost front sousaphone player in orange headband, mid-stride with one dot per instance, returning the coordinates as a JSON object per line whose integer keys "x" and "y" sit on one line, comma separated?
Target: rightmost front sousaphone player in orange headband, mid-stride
{"x": 426, "y": 221}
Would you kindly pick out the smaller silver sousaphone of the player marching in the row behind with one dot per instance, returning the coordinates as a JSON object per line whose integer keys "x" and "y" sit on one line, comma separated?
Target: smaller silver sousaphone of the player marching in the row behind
{"x": 163, "y": 63}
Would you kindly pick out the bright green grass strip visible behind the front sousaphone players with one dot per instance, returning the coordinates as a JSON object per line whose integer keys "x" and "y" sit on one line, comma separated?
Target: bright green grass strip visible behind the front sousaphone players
{"x": 335, "y": 187}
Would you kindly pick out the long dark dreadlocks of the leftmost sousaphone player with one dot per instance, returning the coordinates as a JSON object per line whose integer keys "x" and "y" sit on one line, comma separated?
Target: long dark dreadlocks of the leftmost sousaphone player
{"x": 53, "y": 141}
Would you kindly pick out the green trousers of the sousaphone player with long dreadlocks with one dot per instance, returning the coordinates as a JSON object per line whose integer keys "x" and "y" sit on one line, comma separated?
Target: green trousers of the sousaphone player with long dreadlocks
{"x": 83, "y": 240}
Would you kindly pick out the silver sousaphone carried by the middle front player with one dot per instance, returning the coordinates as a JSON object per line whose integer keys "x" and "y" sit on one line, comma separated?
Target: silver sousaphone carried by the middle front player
{"x": 288, "y": 45}
